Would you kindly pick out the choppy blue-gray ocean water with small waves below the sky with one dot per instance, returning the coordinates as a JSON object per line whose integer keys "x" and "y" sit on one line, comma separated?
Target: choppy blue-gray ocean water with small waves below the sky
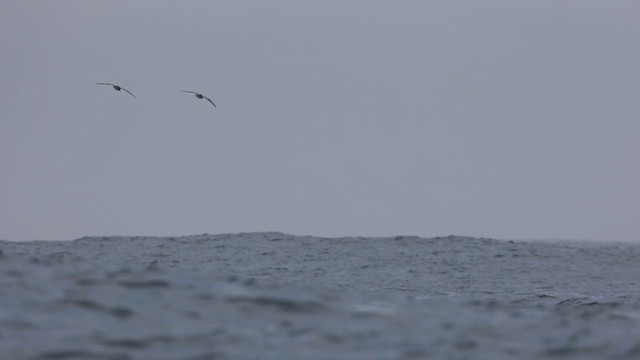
{"x": 278, "y": 296}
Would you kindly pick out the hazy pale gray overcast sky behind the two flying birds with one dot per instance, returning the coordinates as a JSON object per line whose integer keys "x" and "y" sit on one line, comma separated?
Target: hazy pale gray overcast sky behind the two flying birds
{"x": 510, "y": 119}
